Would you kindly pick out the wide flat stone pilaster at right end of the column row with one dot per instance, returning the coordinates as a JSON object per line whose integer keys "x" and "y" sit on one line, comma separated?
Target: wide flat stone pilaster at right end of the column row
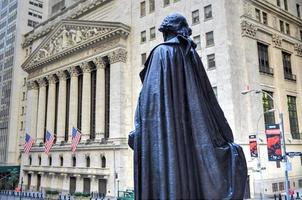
{"x": 120, "y": 107}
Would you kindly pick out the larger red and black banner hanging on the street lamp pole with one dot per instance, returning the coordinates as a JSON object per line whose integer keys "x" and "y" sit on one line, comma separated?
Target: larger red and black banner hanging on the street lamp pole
{"x": 273, "y": 142}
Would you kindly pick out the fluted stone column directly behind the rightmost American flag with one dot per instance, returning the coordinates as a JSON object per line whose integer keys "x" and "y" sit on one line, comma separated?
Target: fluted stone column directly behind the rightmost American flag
{"x": 73, "y": 104}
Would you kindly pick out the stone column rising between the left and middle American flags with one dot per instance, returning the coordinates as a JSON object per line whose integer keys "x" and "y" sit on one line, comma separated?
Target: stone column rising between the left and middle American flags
{"x": 41, "y": 110}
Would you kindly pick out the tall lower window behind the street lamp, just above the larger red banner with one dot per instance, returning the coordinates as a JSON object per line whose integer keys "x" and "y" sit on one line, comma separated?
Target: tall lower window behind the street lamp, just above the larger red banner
{"x": 268, "y": 104}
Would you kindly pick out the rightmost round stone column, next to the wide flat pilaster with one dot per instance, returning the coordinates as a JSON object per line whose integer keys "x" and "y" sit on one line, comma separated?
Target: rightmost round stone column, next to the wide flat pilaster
{"x": 100, "y": 99}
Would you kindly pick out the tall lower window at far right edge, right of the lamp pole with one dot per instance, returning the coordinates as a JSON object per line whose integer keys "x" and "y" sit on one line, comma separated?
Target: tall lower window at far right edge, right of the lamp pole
{"x": 293, "y": 117}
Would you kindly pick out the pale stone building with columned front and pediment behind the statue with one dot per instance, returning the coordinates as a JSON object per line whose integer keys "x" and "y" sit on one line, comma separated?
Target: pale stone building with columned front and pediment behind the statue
{"x": 83, "y": 72}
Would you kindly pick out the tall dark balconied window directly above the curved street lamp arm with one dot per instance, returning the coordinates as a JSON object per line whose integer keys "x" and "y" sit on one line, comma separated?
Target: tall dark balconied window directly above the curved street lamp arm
{"x": 263, "y": 59}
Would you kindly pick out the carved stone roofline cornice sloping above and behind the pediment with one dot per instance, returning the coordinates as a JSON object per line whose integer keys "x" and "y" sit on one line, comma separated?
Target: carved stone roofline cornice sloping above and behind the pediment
{"x": 72, "y": 12}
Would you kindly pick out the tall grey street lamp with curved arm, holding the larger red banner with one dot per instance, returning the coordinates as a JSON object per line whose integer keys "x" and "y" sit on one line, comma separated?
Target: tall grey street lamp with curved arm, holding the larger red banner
{"x": 282, "y": 135}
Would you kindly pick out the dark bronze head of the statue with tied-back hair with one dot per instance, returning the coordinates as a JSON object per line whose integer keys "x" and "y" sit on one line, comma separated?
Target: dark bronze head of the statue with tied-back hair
{"x": 173, "y": 25}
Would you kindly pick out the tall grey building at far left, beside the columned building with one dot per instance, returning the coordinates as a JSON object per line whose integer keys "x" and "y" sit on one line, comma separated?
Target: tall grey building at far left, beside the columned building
{"x": 17, "y": 18}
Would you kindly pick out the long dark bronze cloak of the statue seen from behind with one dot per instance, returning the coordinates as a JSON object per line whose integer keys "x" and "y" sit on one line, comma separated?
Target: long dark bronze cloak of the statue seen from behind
{"x": 183, "y": 145}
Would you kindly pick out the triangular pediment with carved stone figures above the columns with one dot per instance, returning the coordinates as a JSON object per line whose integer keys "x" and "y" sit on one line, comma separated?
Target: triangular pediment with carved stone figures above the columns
{"x": 70, "y": 36}
